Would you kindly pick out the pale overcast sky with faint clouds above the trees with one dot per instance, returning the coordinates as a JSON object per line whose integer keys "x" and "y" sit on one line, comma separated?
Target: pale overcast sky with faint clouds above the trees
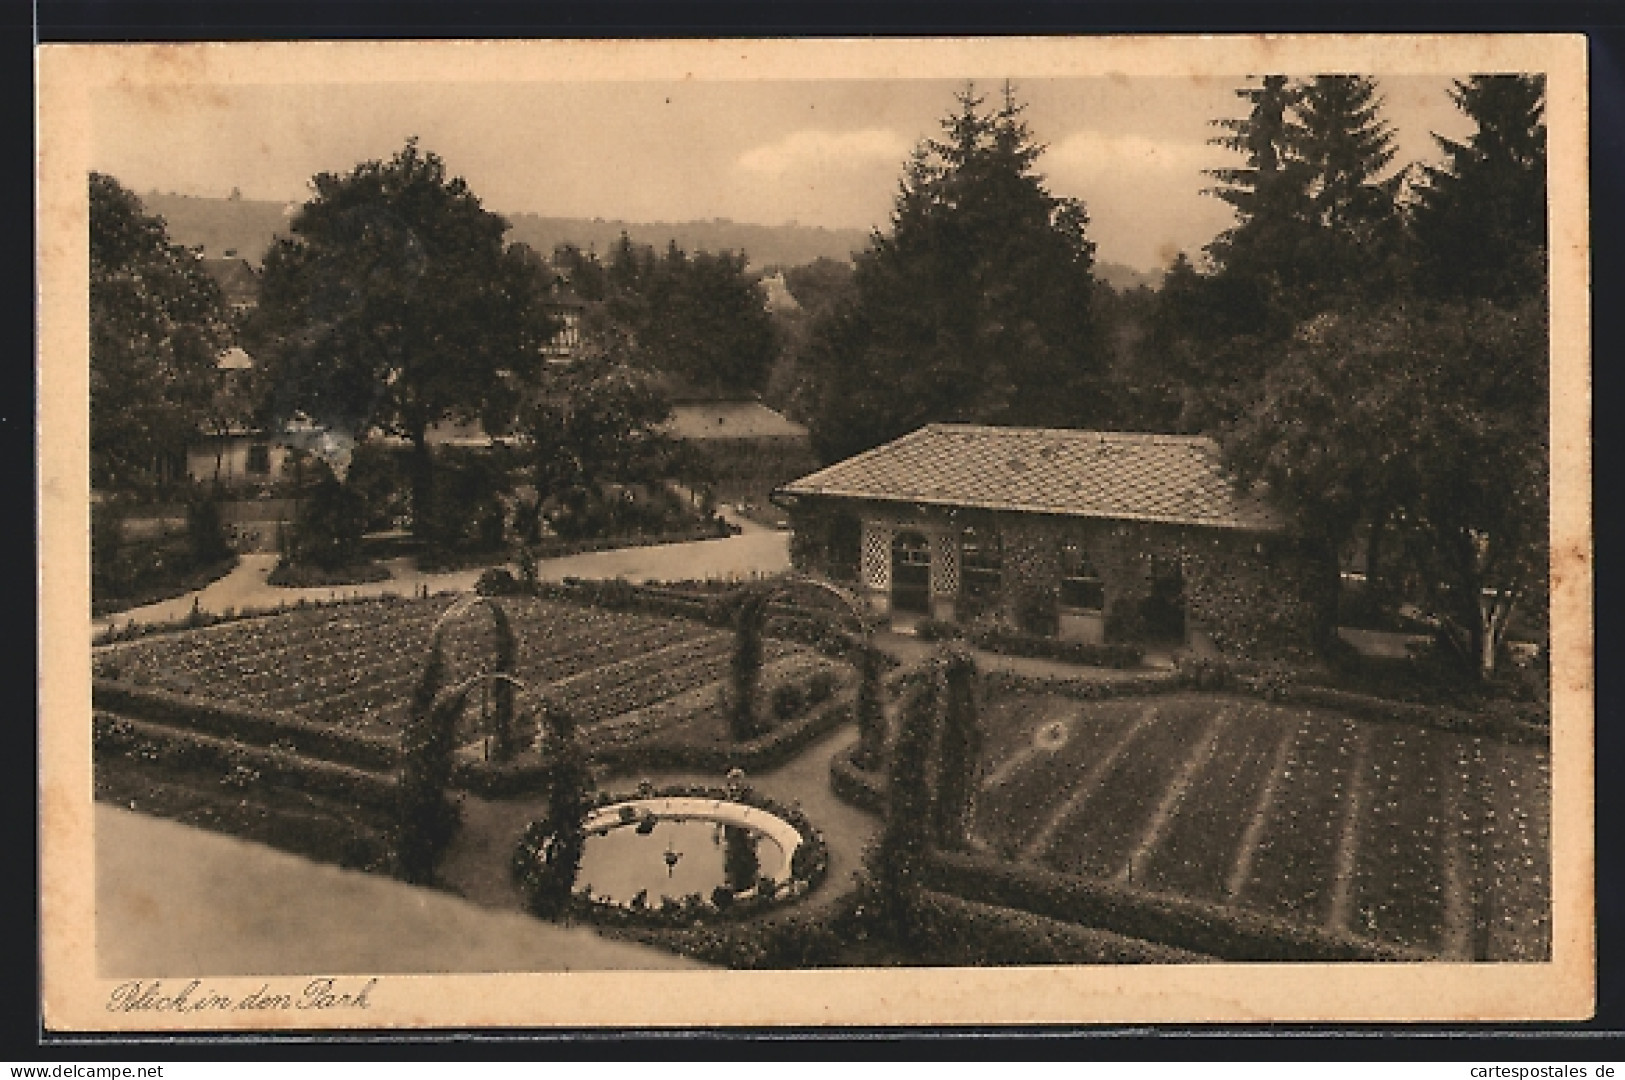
{"x": 826, "y": 153}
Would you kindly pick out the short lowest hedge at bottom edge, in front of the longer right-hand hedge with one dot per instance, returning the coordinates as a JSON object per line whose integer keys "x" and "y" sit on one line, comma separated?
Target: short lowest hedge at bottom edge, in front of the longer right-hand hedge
{"x": 977, "y": 935}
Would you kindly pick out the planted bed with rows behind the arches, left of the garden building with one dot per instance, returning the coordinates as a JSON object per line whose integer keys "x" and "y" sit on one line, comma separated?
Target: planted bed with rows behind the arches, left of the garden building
{"x": 355, "y": 665}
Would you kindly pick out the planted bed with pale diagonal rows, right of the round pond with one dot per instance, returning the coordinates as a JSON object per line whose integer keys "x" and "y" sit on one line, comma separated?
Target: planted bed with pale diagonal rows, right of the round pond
{"x": 1393, "y": 832}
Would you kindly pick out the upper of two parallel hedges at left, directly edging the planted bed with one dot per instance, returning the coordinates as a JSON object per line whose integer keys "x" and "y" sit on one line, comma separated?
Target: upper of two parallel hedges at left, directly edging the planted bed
{"x": 249, "y": 725}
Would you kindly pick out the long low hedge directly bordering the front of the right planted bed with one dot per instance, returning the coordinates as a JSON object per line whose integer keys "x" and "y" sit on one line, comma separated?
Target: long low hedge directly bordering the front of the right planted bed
{"x": 1164, "y": 918}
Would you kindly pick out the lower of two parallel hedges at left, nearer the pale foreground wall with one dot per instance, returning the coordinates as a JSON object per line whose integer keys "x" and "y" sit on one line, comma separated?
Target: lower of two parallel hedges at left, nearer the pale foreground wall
{"x": 253, "y": 764}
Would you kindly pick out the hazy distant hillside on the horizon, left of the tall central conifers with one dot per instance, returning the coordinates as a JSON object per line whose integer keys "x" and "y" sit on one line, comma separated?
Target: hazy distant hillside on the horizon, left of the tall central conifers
{"x": 248, "y": 228}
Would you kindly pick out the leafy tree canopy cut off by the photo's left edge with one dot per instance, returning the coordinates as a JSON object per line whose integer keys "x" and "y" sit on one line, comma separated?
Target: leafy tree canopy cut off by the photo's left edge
{"x": 157, "y": 324}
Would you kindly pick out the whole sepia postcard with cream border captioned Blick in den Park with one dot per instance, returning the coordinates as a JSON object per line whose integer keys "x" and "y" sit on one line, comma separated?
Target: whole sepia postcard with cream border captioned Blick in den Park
{"x": 950, "y": 532}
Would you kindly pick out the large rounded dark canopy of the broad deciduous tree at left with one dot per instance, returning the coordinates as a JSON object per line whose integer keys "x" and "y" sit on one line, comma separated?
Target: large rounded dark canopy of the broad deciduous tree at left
{"x": 394, "y": 303}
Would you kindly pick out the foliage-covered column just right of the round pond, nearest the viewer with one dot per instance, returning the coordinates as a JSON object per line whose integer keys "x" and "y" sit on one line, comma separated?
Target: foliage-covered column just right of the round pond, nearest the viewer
{"x": 895, "y": 862}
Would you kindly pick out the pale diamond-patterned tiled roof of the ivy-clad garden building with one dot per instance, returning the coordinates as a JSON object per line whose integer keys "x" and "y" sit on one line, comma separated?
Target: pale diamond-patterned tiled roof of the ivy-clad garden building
{"x": 1036, "y": 470}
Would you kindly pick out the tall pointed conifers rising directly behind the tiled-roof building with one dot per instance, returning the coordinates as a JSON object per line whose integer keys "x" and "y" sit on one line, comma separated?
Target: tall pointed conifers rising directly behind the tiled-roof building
{"x": 974, "y": 308}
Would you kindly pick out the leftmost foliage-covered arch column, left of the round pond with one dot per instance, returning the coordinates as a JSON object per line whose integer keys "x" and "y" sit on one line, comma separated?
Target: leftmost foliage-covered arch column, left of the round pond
{"x": 427, "y": 819}
